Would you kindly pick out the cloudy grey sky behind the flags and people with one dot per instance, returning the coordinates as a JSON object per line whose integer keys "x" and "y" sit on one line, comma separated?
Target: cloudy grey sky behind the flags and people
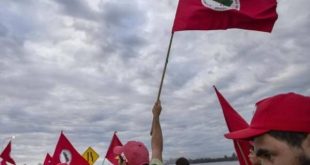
{"x": 92, "y": 67}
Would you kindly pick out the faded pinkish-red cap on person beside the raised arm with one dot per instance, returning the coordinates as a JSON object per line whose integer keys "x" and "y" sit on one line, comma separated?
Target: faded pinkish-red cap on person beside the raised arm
{"x": 135, "y": 153}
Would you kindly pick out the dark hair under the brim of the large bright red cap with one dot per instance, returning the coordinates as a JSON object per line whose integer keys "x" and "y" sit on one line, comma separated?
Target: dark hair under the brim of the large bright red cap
{"x": 294, "y": 139}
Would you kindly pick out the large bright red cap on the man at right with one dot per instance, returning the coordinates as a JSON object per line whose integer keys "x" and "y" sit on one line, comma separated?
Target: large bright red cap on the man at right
{"x": 284, "y": 112}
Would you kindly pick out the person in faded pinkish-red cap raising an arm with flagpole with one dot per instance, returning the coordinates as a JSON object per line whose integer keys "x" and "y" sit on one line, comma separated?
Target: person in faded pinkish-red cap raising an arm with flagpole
{"x": 136, "y": 153}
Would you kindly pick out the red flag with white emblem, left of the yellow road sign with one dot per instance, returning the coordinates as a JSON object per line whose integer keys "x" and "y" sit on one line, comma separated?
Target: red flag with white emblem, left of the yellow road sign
{"x": 65, "y": 153}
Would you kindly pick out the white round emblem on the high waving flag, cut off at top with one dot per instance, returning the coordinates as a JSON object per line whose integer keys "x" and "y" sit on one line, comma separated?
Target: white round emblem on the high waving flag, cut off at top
{"x": 221, "y": 5}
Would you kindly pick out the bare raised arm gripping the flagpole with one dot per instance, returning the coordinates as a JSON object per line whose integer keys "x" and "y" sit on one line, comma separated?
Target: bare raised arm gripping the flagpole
{"x": 157, "y": 137}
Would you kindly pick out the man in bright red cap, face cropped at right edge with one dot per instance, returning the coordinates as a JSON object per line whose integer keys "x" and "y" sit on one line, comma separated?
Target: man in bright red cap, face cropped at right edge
{"x": 280, "y": 130}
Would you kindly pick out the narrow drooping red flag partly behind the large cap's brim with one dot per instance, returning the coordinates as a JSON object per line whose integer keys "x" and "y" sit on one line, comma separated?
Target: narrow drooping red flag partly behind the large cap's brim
{"x": 234, "y": 123}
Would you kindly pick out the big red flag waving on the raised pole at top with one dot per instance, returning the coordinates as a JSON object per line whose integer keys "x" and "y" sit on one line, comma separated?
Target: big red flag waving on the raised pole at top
{"x": 257, "y": 15}
